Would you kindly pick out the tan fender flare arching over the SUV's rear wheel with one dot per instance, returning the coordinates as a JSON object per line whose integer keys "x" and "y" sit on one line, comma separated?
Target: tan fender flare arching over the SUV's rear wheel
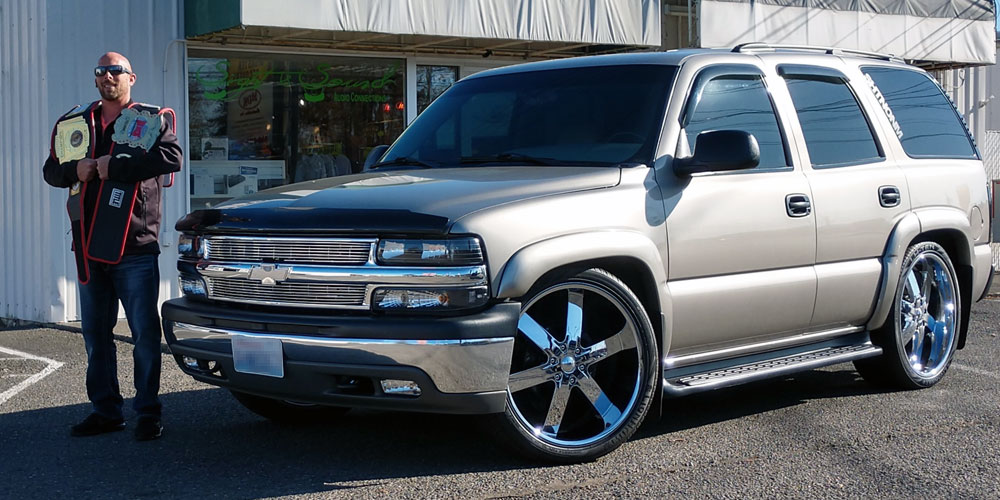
{"x": 908, "y": 229}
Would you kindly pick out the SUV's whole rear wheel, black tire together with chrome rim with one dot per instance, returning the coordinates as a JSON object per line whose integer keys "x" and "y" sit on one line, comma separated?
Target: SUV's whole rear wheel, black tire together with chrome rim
{"x": 920, "y": 337}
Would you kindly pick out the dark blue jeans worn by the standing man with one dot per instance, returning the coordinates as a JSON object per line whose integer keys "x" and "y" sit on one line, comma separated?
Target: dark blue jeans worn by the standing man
{"x": 135, "y": 281}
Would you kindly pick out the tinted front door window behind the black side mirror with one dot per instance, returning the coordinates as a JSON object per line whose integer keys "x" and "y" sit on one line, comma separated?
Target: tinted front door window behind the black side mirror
{"x": 738, "y": 102}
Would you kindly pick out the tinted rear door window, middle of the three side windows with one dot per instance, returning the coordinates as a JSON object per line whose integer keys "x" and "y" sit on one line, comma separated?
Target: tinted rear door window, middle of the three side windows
{"x": 835, "y": 128}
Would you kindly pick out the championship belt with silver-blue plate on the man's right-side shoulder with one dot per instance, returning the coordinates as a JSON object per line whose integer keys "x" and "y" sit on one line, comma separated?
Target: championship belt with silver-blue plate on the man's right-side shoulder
{"x": 137, "y": 130}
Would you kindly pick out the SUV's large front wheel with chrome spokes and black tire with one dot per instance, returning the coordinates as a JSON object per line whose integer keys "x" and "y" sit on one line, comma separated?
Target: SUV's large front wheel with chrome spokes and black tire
{"x": 583, "y": 370}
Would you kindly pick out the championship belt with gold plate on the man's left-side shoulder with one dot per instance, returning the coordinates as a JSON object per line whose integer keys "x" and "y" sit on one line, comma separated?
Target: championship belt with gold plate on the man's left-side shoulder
{"x": 72, "y": 139}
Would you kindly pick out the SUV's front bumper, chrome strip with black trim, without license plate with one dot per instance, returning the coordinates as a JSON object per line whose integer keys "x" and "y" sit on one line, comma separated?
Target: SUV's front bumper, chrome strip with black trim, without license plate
{"x": 460, "y": 363}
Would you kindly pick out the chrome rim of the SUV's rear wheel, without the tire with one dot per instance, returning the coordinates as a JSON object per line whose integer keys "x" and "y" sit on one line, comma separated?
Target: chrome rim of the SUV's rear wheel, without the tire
{"x": 928, "y": 314}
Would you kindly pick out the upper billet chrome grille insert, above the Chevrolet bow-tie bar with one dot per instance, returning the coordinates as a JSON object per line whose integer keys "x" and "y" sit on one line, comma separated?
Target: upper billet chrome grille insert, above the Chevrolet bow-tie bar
{"x": 291, "y": 250}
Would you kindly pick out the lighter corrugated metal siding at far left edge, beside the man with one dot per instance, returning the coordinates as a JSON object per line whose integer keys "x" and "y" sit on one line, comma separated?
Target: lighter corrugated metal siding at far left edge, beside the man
{"x": 29, "y": 284}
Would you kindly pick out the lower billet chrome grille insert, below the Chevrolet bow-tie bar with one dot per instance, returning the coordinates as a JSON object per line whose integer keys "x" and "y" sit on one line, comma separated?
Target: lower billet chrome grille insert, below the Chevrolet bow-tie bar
{"x": 287, "y": 293}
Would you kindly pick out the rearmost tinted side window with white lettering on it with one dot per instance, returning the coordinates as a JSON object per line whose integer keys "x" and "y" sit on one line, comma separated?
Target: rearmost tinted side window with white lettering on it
{"x": 921, "y": 115}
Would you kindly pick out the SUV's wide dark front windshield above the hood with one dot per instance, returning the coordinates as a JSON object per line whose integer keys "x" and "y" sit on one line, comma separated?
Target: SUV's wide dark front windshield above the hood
{"x": 602, "y": 115}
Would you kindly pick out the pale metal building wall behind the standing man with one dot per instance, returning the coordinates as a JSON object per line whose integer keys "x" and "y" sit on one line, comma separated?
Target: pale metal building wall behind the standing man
{"x": 48, "y": 49}
